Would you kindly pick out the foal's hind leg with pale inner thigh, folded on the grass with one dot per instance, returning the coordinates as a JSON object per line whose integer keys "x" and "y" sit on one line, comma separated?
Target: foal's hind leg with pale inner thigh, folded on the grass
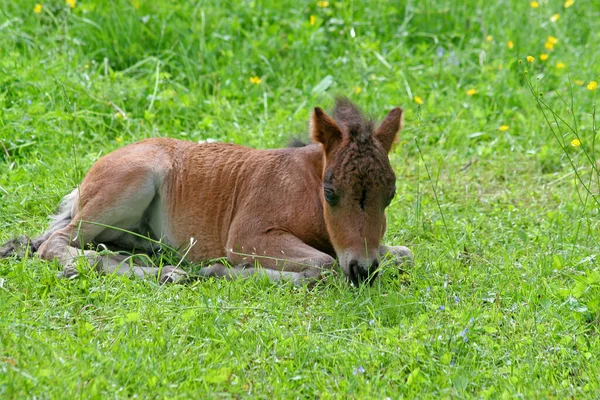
{"x": 114, "y": 194}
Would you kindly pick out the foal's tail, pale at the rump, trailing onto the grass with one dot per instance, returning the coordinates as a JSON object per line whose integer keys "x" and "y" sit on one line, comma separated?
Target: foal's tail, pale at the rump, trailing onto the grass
{"x": 23, "y": 245}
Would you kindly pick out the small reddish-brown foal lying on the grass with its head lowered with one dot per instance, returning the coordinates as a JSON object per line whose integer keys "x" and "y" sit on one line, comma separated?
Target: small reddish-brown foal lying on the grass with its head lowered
{"x": 292, "y": 210}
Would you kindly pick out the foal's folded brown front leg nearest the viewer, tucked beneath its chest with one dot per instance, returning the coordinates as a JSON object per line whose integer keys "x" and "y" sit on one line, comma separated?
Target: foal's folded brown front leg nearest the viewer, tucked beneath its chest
{"x": 282, "y": 256}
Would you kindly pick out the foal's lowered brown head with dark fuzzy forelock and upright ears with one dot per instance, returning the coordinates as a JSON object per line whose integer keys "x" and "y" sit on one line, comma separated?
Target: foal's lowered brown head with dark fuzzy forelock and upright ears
{"x": 358, "y": 183}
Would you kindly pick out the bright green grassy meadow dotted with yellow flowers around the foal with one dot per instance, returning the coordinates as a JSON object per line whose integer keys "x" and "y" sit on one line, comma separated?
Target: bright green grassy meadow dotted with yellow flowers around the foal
{"x": 496, "y": 196}
